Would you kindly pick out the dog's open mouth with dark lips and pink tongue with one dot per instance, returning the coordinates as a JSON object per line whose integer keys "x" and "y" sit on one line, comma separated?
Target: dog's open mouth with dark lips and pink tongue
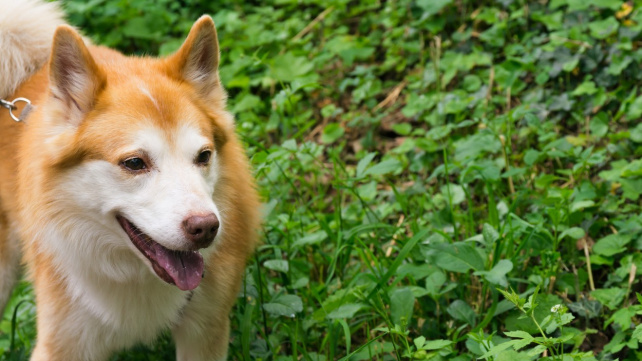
{"x": 181, "y": 268}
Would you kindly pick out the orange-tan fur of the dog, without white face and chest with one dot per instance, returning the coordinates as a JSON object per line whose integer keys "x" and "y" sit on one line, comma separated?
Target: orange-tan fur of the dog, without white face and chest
{"x": 36, "y": 158}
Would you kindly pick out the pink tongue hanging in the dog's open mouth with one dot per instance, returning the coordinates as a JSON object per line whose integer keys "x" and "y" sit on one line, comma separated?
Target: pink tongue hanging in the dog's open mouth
{"x": 184, "y": 268}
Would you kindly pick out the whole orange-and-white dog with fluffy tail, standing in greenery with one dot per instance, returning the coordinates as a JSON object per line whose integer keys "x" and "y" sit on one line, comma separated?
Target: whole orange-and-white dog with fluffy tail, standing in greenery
{"x": 125, "y": 191}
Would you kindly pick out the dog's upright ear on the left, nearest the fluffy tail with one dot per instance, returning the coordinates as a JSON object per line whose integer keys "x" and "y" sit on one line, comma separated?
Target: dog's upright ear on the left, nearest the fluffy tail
{"x": 75, "y": 79}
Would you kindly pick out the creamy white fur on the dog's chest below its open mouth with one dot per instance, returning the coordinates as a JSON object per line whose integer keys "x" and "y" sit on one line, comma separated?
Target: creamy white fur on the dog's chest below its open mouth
{"x": 117, "y": 301}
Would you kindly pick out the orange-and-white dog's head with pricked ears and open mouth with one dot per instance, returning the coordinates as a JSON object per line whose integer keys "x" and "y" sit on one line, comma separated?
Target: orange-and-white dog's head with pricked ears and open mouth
{"x": 136, "y": 143}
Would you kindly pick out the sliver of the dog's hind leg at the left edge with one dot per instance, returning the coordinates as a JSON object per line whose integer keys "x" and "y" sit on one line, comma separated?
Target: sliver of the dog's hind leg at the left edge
{"x": 9, "y": 262}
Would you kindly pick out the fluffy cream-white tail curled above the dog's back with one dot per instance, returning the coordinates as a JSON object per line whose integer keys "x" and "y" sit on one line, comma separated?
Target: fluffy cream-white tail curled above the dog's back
{"x": 26, "y": 34}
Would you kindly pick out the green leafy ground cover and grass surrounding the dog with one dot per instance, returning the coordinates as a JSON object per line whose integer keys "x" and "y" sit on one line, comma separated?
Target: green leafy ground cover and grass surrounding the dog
{"x": 443, "y": 179}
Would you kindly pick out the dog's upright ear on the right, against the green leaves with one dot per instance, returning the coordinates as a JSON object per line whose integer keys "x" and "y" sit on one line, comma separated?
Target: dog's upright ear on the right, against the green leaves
{"x": 197, "y": 60}
